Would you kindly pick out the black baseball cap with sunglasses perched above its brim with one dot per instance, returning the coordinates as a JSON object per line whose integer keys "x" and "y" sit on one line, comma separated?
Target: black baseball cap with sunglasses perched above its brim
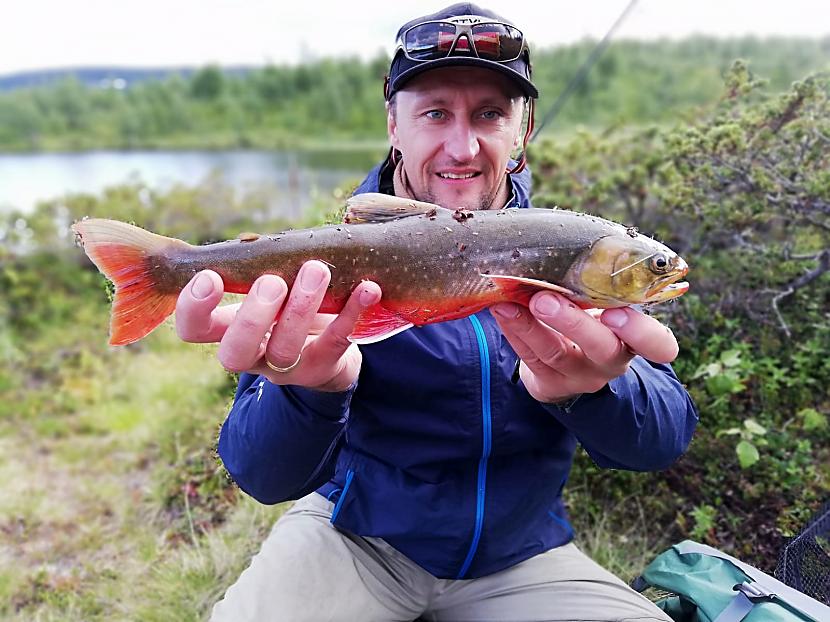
{"x": 404, "y": 68}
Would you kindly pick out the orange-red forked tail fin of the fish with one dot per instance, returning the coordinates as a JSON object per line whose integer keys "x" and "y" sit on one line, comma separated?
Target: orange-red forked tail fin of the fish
{"x": 122, "y": 253}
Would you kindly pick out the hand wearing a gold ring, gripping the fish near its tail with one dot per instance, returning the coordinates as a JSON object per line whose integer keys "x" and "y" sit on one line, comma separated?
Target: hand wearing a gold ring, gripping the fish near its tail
{"x": 248, "y": 336}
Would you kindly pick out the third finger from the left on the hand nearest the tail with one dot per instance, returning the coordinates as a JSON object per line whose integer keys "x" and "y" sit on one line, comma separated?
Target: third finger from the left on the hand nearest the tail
{"x": 298, "y": 316}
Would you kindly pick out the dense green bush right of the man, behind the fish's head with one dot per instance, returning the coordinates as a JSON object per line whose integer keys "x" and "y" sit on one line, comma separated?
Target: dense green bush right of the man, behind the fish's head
{"x": 743, "y": 194}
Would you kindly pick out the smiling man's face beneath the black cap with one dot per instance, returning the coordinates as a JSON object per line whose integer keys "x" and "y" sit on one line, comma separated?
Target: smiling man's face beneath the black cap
{"x": 456, "y": 128}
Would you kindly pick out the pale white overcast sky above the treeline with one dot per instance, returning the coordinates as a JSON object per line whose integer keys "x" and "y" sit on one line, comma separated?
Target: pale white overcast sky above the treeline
{"x": 45, "y": 34}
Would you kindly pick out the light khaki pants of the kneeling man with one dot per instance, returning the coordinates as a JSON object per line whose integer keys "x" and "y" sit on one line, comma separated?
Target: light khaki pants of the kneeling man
{"x": 309, "y": 571}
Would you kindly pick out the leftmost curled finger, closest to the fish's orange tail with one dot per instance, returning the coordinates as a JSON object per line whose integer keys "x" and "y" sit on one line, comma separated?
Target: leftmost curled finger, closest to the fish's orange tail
{"x": 198, "y": 320}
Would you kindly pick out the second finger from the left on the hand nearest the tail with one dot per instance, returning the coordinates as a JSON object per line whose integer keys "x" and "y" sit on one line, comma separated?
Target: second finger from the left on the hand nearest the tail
{"x": 240, "y": 346}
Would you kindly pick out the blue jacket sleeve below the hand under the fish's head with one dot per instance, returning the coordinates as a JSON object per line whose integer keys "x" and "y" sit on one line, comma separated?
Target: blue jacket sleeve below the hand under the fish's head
{"x": 641, "y": 421}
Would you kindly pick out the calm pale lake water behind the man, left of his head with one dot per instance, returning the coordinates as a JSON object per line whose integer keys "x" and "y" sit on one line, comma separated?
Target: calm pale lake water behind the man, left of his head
{"x": 291, "y": 179}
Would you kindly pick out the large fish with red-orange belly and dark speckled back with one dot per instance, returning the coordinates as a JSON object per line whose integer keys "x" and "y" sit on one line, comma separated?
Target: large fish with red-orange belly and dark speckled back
{"x": 432, "y": 263}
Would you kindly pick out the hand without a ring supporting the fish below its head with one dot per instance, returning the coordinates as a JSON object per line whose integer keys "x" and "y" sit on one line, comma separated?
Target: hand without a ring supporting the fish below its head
{"x": 566, "y": 351}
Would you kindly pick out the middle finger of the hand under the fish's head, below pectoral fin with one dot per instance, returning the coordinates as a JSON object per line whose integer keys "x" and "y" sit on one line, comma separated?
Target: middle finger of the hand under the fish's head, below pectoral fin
{"x": 597, "y": 341}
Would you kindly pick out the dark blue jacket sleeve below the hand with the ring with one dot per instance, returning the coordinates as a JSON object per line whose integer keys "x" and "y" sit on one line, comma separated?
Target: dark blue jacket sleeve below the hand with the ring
{"x": 279, "y": 442}
